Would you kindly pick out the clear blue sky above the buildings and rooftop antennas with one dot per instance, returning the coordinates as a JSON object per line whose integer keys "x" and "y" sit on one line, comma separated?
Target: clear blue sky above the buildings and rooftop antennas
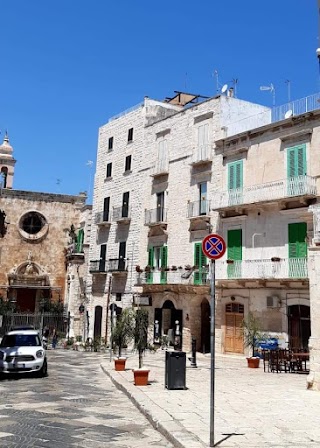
{"x": 68, "y": 65}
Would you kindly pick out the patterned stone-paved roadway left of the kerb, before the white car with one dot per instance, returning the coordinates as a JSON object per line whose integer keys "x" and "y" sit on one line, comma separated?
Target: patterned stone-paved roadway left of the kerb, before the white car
{"x": 76, "y": 406}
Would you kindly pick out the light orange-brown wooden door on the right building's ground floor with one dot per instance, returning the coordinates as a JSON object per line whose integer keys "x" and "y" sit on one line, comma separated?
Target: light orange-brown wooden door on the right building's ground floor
{"x": 233, "y": 334}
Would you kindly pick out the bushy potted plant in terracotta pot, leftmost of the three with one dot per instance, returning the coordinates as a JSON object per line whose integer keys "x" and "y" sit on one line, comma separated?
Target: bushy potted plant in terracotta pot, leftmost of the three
{"x": 121, "y": 335}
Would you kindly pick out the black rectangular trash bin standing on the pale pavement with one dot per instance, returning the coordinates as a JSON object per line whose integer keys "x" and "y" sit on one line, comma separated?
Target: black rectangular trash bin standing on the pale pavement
{"x": 175, "y": 371}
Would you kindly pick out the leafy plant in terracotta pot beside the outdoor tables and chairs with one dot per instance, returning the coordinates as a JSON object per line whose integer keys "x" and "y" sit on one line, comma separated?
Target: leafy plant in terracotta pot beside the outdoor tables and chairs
{"x": 252, "y": 333}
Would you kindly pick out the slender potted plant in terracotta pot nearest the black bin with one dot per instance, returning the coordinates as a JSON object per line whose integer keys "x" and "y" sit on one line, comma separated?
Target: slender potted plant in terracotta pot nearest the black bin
{"x": 141, "y": 344}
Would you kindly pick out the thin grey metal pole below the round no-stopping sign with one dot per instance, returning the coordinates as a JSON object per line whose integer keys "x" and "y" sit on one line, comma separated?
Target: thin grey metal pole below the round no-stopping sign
{"x": 212, "y": 345}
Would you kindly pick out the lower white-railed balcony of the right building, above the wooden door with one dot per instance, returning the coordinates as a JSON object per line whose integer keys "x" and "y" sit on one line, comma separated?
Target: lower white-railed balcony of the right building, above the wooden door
{"x": 282, "y": 269}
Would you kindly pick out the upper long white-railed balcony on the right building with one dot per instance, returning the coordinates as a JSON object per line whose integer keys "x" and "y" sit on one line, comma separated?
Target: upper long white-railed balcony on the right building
{"x": 291, "y": 188}
